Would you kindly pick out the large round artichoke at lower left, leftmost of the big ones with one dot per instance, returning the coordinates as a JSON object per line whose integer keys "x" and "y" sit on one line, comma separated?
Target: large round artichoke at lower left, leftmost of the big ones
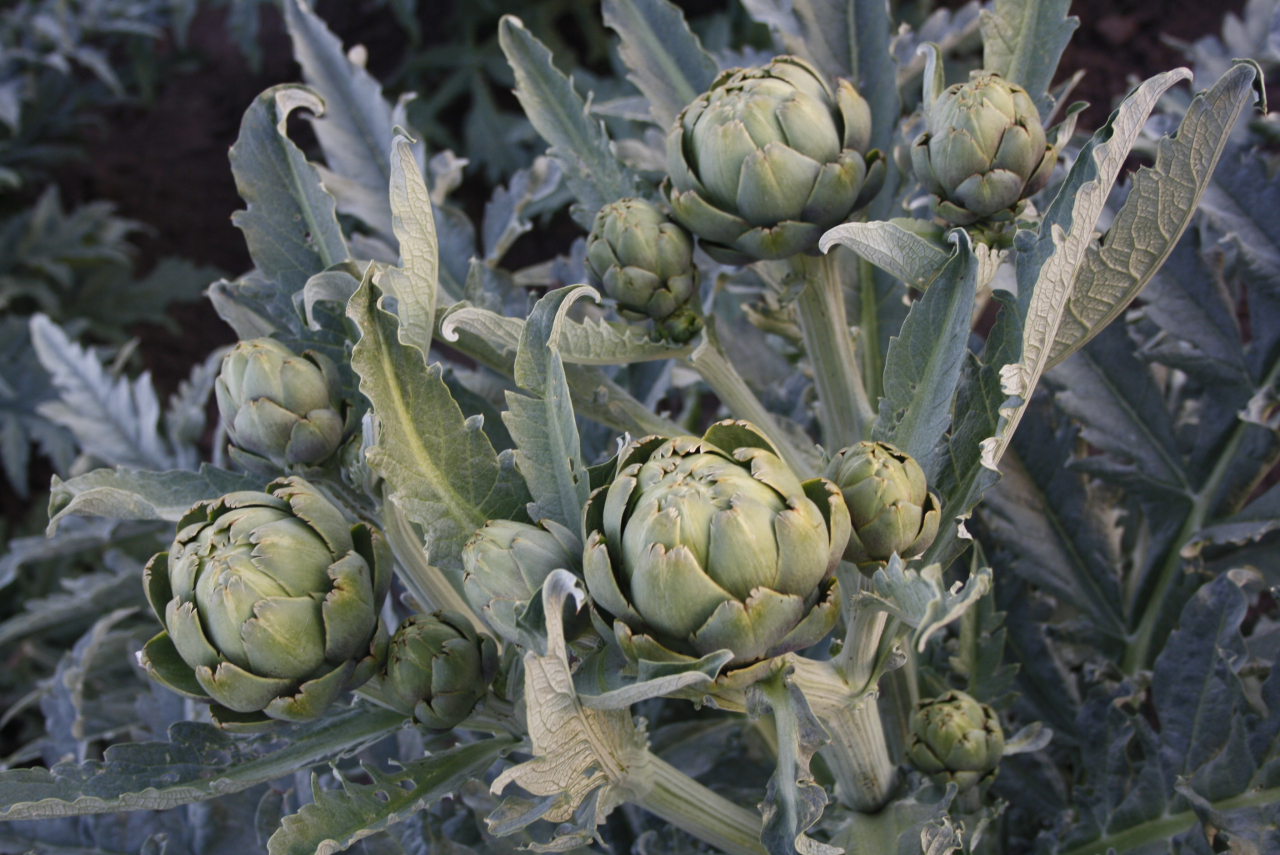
{"x": 271, "y": 605}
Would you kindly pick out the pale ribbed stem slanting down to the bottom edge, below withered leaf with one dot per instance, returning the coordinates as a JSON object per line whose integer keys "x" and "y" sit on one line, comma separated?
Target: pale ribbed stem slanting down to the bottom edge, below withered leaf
{"x": 670, "y": 794}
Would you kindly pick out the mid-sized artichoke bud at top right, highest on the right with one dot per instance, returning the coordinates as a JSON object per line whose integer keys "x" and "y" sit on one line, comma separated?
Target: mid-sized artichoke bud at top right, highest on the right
{"x": 984, "y": 152}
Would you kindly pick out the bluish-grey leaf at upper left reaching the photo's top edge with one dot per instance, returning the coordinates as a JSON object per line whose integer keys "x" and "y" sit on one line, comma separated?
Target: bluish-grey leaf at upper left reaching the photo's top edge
{"x": 355, "y": 131}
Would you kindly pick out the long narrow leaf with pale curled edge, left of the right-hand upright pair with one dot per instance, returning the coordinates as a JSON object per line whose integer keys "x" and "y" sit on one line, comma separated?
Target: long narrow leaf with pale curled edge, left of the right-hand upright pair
{"x": 1050, "y": 259}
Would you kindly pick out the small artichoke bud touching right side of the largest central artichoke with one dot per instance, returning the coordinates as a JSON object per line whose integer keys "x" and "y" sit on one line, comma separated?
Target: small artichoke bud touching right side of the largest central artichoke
{"x": 890, "y": 505}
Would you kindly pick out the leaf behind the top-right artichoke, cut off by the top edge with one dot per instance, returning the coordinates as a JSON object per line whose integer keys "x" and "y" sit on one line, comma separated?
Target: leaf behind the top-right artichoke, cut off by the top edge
{"x": 1023, "y": 40}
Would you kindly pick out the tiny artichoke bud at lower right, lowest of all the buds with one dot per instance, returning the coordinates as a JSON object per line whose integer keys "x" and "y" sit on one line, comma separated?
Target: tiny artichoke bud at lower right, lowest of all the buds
{"x": 957, "y": 739}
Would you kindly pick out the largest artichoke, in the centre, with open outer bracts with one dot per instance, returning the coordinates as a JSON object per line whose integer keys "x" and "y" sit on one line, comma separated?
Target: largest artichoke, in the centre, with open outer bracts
{"x": 710, "y": 545}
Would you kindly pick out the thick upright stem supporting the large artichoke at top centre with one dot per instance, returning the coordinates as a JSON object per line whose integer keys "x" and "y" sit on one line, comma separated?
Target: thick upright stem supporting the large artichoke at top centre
{"x": 845, "y": 410}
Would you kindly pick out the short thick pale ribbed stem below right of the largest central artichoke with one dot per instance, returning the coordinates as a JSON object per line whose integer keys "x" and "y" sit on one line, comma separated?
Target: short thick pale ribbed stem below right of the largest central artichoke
{"x": 858, "y": 755}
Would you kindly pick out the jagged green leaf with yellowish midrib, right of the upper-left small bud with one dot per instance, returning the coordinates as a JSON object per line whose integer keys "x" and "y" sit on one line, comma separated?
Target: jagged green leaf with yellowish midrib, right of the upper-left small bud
{"x": 424, "y": 436}
